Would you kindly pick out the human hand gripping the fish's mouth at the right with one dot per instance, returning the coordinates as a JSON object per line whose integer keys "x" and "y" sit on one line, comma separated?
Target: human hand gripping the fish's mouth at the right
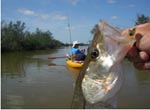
{"x": 139, "y": 54}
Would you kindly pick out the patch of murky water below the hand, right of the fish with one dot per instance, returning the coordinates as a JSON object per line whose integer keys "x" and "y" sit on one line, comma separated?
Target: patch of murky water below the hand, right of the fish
{"x": 135, "y": 92}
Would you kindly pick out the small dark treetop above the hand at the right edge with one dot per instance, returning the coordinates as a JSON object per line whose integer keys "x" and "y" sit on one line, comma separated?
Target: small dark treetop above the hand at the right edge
{"x": 141, "y": 19}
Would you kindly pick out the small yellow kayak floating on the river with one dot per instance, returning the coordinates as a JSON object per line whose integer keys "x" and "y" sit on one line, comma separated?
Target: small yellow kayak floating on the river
{"x": 74, "y": 64}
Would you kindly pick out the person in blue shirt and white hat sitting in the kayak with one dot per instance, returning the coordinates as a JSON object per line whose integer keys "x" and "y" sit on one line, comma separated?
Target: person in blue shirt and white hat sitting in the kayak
{"x": 76, "y": 53}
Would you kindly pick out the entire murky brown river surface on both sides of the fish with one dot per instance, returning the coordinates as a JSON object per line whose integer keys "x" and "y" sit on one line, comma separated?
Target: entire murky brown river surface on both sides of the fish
{"x": 28, "y": 80}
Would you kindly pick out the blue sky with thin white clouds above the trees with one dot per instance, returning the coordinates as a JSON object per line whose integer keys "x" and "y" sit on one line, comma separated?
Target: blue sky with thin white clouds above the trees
{"x": 81, "y": 15}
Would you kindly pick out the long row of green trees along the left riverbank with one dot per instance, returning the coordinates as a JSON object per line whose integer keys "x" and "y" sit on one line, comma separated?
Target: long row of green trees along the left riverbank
{"x": 15, "y": 38}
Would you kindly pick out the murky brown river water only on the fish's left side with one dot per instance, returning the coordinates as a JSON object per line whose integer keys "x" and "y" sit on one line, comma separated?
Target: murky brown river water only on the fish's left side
{"x": 28, "y": 81}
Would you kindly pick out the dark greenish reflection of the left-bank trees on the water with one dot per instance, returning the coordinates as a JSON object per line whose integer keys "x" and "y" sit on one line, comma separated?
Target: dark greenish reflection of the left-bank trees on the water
{"x": 14, "y": 64}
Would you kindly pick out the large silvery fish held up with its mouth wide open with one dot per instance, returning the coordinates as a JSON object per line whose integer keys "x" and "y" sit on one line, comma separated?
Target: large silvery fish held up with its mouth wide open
{"x": 101, "y": 76}
